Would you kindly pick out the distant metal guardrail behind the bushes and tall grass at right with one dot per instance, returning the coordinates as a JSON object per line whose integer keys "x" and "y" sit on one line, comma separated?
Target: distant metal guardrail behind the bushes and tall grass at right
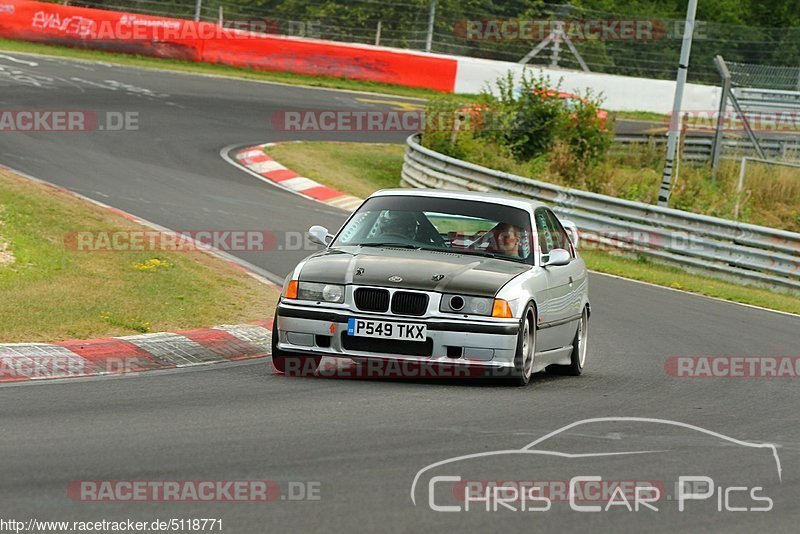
{"x": 699, "y": 148}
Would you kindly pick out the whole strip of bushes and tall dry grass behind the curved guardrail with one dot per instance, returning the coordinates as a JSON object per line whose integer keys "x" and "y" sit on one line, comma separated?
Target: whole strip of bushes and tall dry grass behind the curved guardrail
{"x": 528, "y": 130}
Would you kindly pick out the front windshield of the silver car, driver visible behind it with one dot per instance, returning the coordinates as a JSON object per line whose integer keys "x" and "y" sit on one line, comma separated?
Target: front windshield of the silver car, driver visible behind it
{"x": 441, "y": 224}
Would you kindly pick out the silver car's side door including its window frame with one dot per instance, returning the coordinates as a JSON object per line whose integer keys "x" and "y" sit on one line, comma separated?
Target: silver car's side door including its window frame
{"x": 559, "y": 314}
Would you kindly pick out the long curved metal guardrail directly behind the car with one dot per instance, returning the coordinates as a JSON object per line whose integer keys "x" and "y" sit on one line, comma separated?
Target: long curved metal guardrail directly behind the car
{"x": 745, "y": 252}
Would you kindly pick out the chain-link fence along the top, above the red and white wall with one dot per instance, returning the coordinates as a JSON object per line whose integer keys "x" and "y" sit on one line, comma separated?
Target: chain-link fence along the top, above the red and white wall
{"x": 497, "y": 30}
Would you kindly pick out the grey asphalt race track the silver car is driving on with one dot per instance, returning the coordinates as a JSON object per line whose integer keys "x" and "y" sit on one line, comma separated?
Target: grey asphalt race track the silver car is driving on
{"x": 360, "y": 443}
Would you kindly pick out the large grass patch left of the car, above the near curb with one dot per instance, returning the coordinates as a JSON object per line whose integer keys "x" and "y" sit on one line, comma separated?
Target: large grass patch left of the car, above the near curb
{"x": 51, "y": 292}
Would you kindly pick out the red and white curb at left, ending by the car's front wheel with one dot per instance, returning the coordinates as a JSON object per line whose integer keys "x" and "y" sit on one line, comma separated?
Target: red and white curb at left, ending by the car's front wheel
{"x": 133, "y": 354}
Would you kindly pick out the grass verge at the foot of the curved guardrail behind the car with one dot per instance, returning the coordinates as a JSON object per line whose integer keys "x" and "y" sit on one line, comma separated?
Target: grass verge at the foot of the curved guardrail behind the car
{"x": 342, "y": 165}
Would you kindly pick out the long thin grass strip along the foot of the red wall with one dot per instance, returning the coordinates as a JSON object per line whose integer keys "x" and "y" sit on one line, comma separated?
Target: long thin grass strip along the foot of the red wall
{"x": 219, "y": 70}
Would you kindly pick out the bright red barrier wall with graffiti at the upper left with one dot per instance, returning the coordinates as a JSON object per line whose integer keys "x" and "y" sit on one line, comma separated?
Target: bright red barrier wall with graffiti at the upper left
{"x": 187, "y": 40}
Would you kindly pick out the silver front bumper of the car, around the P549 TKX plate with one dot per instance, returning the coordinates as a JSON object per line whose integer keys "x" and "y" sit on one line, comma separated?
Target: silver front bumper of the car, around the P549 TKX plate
{"x": 318, "y": 331}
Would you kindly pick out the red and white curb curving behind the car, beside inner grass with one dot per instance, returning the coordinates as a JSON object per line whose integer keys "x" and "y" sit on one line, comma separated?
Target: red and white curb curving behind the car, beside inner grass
{"x": 255, "y": 160}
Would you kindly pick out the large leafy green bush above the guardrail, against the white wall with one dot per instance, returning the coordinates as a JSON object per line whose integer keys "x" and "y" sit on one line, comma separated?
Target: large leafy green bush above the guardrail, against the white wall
{"x": 525, "y": 124}
